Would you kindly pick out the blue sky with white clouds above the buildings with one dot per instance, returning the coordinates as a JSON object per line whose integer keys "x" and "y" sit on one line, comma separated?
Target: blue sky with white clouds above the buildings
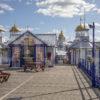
{"x": 43, "y": 16}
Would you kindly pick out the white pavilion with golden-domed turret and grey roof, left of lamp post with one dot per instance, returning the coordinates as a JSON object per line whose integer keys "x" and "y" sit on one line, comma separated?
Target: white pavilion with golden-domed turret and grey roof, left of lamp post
{"x": 80, "y": 45}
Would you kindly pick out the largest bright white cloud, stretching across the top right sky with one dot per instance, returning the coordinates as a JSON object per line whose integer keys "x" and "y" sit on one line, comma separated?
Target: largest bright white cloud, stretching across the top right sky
{"x": 64, "y": 8}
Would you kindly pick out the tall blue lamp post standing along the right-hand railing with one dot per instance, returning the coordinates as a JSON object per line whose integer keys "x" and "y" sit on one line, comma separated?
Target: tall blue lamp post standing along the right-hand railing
{"x": 93, "y": 56}
